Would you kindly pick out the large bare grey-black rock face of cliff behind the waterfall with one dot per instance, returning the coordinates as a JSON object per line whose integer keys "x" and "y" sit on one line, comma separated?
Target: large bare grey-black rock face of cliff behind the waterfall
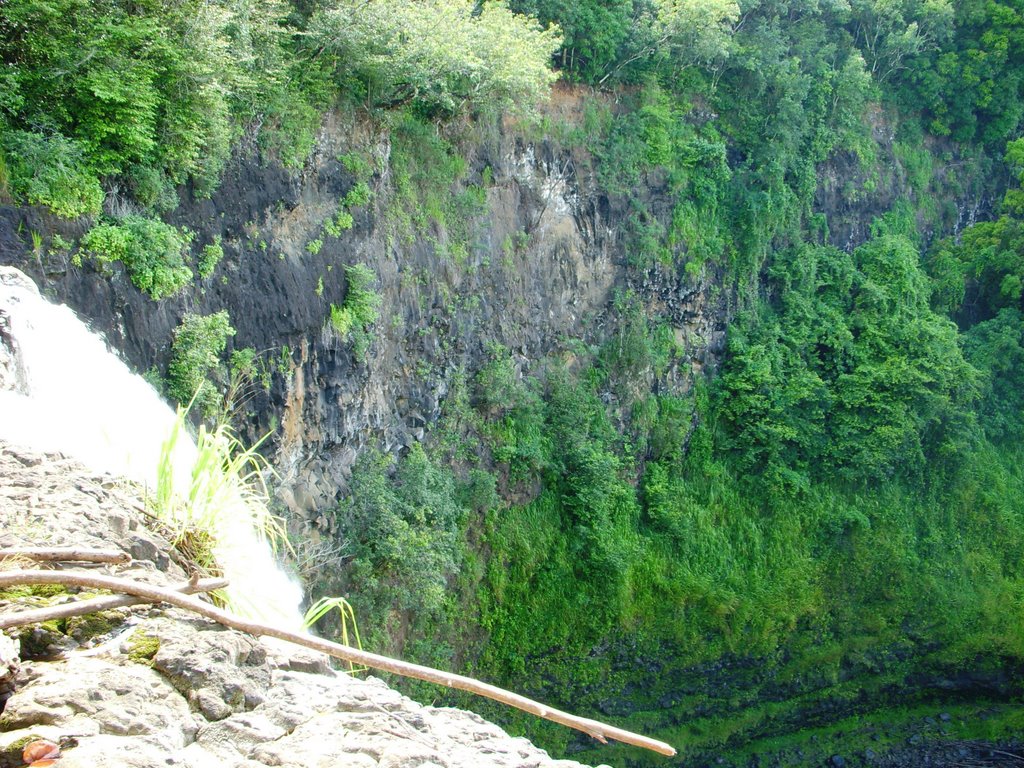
{"x": 543, "y": 264}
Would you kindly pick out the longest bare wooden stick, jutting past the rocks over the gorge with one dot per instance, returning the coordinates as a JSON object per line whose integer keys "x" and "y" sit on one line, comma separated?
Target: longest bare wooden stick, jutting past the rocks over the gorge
{"x": 599, "y": 731}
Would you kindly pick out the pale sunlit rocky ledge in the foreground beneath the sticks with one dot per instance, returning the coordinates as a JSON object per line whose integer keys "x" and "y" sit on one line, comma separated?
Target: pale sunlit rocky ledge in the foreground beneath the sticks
{"x": 149, "y": 687}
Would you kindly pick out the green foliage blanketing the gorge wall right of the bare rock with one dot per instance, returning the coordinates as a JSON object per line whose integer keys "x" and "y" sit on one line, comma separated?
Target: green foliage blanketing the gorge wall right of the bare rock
{"x": 838, "y": 506}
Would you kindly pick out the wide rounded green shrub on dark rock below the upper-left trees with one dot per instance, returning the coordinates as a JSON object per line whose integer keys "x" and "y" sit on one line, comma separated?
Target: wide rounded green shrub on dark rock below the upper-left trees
{"x": 152, "y": 252}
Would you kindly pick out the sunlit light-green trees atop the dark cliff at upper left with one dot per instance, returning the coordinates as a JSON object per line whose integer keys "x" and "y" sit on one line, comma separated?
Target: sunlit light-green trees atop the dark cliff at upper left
{"x": 156, "y": 94}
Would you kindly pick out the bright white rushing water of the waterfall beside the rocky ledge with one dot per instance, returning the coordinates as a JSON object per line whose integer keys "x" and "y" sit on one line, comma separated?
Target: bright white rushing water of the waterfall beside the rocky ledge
{"x": 83, "y": 402}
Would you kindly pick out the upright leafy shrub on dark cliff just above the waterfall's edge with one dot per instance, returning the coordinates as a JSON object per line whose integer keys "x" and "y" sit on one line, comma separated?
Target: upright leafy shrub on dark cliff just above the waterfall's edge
{"x": 199, "y": 343}
